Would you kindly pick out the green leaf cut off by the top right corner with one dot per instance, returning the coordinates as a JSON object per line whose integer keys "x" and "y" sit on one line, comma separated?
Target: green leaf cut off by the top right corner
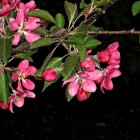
{"x": 136, "y": 8}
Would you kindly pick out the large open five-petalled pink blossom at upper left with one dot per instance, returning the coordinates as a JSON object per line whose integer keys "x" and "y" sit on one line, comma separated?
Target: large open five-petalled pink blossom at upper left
{"x": 24, "y": 26}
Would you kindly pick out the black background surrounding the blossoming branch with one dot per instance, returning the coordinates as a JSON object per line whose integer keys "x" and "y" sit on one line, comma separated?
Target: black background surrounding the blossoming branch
{"x": 113, "y": 116}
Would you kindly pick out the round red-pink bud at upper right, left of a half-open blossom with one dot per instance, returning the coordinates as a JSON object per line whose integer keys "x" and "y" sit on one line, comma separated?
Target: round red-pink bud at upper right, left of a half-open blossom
{"x": 104, "y": 56}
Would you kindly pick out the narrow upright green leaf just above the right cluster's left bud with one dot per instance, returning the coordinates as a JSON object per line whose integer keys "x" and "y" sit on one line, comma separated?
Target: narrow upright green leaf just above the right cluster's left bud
{"x": 81, "y": 51}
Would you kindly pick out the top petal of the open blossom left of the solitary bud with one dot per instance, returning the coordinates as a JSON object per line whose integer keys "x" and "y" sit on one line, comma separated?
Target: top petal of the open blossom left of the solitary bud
{"x": 24, "y": 64}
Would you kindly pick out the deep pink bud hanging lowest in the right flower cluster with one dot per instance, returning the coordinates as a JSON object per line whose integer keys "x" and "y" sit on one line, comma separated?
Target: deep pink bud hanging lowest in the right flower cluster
{"x": 82, "y": 95}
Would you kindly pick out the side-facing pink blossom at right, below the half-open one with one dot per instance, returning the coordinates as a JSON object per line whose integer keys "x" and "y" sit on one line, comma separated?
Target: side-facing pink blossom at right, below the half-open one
{"x": 107, "y": 75}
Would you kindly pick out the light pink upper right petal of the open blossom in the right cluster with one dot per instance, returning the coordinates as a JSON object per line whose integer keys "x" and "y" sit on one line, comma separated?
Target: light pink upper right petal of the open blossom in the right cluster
{"x": 94, "y": 75}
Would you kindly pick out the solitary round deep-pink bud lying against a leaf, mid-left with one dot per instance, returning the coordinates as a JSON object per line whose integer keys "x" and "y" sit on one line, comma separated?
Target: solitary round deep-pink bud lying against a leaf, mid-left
{"x": 49, "y": 74}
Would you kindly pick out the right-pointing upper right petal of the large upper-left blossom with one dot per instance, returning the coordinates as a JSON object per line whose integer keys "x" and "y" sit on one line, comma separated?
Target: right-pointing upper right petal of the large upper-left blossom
{"x": 32, "y": 24}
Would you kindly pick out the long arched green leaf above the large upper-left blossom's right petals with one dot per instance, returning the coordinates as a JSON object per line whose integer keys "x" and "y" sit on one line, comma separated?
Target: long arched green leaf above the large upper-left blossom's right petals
{"x": 42, "y": 14}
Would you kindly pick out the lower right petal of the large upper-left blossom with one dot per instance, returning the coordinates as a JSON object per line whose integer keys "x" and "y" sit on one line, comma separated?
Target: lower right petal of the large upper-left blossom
{"x": 31, "y": 36}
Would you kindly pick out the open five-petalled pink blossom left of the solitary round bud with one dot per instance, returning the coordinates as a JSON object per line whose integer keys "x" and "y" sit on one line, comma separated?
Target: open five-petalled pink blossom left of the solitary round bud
{"x": 24, "y": 71}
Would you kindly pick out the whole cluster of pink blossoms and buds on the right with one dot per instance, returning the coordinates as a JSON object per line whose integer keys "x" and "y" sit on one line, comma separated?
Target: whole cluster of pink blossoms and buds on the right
{"x": 84, "y": 82}
